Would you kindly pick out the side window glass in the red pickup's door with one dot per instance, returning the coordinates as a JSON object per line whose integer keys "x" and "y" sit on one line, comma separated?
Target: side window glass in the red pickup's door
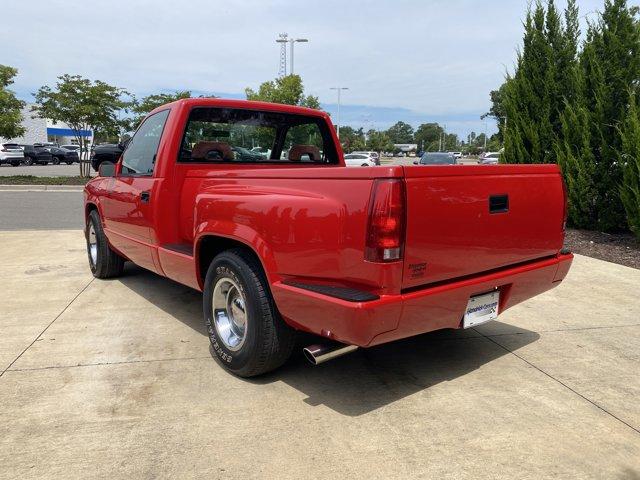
{"x": 140, "y": 156}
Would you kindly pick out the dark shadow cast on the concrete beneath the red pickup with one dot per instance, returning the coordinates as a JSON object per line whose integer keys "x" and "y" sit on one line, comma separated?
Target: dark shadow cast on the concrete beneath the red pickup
{"x": 360, "y": 382}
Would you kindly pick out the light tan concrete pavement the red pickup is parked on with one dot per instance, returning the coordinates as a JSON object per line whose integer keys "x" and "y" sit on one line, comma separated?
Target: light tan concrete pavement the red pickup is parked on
{"x": 114, "y": 379}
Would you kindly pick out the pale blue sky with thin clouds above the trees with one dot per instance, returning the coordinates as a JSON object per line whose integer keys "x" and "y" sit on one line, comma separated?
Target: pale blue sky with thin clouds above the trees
{"x": 412, "y": 60}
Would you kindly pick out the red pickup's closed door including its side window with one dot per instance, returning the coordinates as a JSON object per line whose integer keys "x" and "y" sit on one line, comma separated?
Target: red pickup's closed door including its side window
{"x": 128, "y": 208}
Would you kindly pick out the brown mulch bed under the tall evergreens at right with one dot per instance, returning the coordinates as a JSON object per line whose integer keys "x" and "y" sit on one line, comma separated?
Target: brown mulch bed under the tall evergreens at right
{"x": 620, "y": 248}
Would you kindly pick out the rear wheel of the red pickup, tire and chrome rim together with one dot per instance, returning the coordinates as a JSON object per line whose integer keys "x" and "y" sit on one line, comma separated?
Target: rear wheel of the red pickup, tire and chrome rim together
{"x": 247, "y": 334}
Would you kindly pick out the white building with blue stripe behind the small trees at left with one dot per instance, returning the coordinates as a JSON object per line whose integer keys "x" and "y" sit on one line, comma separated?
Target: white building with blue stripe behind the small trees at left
{"x": 42, "y": 130}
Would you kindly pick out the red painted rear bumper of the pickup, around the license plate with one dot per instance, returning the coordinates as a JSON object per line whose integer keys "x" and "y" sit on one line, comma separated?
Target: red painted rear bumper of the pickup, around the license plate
{"x": 392, "y": 317}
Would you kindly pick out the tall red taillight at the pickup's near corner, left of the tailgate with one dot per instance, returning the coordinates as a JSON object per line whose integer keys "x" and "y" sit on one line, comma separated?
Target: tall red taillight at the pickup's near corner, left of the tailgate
{"x": 385, "y": 231}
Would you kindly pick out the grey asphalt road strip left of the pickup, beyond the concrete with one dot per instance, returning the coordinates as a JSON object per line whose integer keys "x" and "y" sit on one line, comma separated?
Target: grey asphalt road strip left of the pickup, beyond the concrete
{"x": 39, "y": 210}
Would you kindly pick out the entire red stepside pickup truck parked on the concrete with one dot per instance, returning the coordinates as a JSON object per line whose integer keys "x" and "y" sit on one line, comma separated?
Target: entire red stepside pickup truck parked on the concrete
{"x": 251, "y": 204}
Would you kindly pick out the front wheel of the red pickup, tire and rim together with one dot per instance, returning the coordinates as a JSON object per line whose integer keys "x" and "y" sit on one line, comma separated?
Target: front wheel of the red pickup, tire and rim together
{"x": 103, "y": 261}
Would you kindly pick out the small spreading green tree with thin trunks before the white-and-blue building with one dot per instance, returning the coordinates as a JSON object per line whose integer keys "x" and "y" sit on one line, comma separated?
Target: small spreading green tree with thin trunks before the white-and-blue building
{"x": 83, "y": 105}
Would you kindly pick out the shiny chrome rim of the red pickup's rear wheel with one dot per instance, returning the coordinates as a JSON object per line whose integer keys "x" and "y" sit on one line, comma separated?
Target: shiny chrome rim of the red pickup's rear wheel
{"x": 229, "y": 313}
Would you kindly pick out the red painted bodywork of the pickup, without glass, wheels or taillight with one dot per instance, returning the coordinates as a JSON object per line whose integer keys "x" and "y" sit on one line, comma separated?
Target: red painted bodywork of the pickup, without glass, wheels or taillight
{"x": 308, "y": 223}
